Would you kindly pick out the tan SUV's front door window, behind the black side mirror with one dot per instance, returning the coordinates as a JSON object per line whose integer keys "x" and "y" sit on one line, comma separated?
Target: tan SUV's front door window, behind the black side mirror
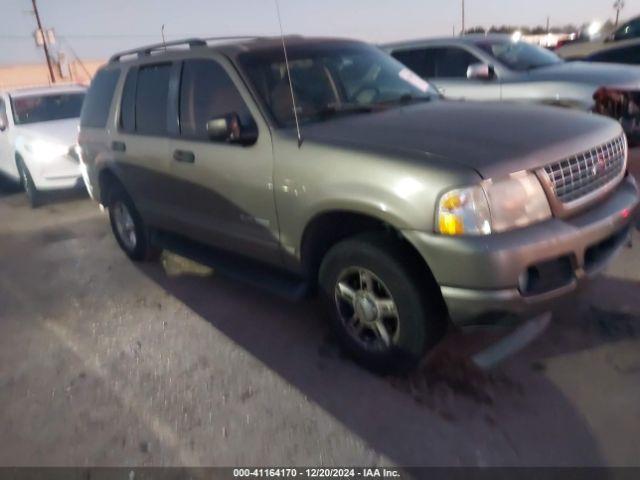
{"x": 206, "y": 92}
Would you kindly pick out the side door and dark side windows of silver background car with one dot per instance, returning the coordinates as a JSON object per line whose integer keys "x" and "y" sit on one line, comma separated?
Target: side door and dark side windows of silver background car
{"x": 446, "y": 67}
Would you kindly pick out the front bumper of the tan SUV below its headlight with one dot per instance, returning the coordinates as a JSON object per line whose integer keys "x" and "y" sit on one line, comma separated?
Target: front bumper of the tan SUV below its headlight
{"x": 506, "y": 276}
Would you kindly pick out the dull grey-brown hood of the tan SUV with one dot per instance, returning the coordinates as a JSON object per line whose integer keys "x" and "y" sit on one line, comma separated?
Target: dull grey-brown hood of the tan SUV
{"x": 494, "y": 139}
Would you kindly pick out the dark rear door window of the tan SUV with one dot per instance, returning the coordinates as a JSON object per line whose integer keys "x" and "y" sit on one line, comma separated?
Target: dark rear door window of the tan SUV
{"x": 152, "y": 94}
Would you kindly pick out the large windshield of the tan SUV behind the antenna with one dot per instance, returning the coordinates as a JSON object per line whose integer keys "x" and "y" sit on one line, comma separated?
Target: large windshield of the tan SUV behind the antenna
{"x": 331, "y": 79}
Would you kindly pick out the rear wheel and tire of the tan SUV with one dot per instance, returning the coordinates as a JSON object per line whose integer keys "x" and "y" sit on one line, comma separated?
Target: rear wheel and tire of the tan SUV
{"x": 128, "y": 227}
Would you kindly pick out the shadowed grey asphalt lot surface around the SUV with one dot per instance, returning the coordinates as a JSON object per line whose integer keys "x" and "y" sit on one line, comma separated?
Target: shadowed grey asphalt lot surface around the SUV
{"x": 105, "y": 362}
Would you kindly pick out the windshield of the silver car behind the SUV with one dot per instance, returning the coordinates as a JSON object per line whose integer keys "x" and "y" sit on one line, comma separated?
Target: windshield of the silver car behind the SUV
{"x": 520, "y": 56}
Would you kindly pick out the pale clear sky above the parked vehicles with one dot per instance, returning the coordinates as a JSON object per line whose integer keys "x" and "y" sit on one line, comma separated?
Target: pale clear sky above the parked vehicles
{"x": 96, "y": 28}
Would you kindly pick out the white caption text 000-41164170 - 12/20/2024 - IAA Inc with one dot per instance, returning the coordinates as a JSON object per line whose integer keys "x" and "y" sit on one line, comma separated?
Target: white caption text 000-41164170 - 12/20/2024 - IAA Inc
{"x": 316, "y": 472}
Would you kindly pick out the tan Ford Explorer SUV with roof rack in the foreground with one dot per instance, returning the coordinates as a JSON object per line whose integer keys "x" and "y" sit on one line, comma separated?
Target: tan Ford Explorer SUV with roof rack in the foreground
{"x": 404, "y": 210}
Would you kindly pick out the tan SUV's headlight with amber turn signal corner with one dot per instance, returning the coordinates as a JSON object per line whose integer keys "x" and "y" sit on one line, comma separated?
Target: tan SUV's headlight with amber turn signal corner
{"x": 493, "y": 206}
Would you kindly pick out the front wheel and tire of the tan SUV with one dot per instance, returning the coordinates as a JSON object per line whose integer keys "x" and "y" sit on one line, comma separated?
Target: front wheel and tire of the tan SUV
{"x": 357, "y": 279}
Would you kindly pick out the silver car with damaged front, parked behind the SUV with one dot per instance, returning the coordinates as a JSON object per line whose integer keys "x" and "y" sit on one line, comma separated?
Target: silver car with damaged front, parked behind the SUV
{"x": 498, "y": 67}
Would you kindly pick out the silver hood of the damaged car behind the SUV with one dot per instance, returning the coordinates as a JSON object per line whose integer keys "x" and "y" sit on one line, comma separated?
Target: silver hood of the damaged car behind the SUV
{"x": 596, "y": 74}
